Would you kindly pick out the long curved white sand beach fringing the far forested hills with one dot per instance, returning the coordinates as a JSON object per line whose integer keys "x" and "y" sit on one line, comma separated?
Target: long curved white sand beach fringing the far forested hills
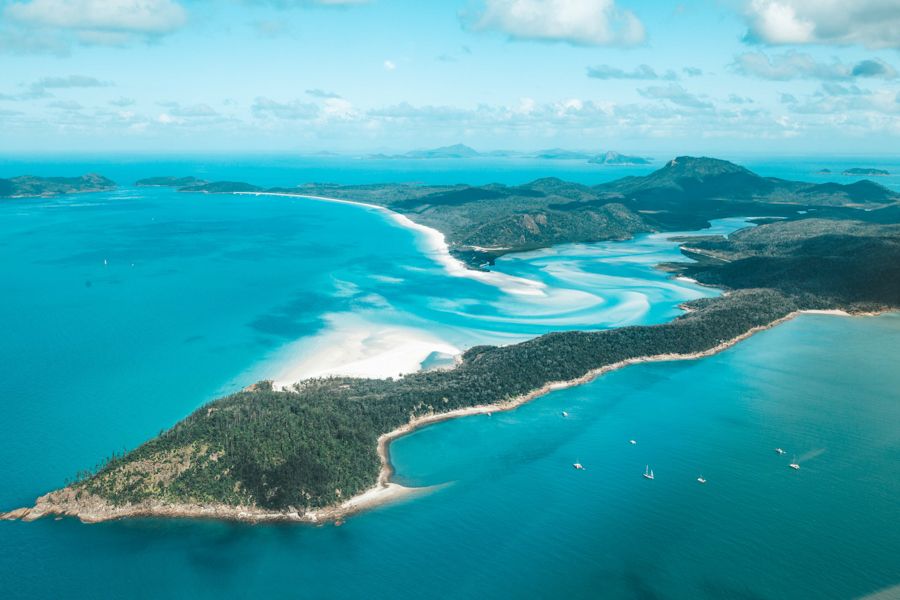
{"x": 436, "y": 246}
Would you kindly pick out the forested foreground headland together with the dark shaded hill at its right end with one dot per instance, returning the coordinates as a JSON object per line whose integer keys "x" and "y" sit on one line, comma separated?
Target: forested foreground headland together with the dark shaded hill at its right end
{"x": 316, "y": 445}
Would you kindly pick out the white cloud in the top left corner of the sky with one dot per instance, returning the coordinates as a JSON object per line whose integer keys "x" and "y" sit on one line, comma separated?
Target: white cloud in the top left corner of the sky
{"x": 98, "y": 22}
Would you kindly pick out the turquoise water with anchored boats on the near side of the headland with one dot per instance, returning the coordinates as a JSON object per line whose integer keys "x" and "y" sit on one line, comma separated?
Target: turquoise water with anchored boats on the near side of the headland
{"x": 516, "y": 520}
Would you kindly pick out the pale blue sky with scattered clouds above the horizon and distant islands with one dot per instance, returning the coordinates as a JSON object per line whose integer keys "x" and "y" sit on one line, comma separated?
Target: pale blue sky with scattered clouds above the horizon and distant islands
{"x": 356, "y": 76}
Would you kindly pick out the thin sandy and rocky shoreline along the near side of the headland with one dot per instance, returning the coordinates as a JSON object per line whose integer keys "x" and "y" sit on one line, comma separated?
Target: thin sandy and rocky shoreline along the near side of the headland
{"x": 91, "y": 509}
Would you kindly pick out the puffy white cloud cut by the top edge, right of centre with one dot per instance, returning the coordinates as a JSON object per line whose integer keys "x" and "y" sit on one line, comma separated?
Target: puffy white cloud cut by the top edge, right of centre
{"x": 579, "y": 22}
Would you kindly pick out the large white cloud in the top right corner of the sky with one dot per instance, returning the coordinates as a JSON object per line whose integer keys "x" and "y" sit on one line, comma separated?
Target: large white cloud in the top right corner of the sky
{"x": 872, "y": 23}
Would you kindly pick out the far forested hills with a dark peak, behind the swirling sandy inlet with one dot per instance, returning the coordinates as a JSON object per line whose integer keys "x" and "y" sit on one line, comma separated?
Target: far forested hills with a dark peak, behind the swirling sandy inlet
{"x": 482, "y": 223}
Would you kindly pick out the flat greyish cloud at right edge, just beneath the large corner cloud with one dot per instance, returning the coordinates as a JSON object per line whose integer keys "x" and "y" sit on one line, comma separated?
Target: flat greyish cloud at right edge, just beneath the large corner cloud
{"x": 796, "y": 65}
